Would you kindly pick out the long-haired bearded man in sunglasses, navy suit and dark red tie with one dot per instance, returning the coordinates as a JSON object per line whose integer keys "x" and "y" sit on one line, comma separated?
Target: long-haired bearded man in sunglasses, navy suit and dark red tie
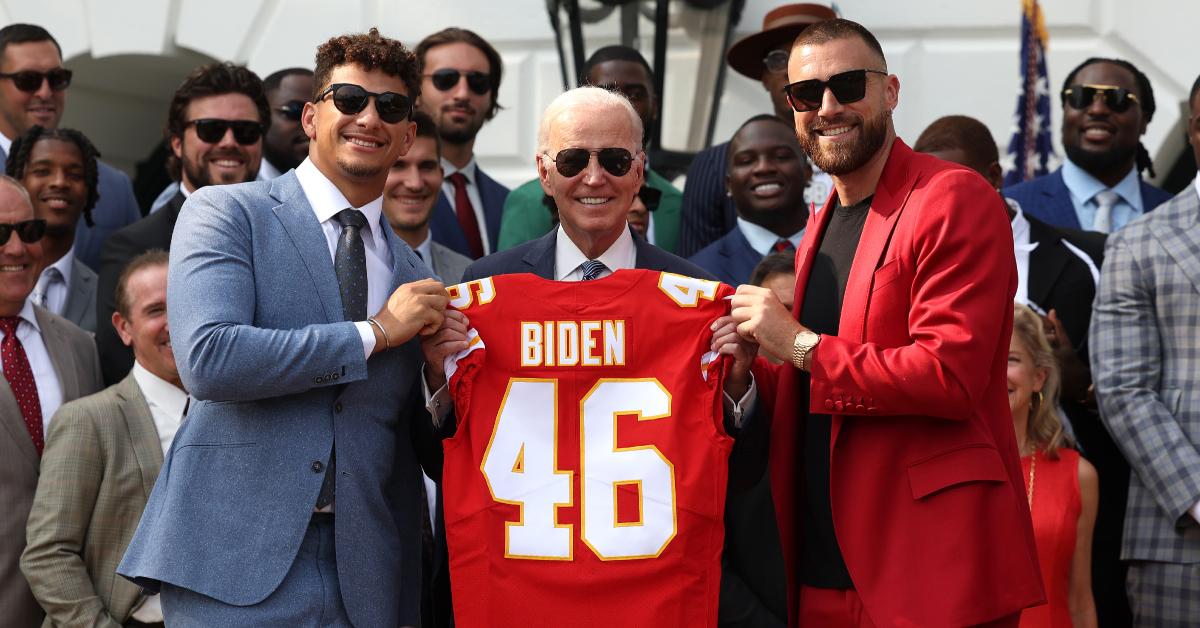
{"x": 459, "y": 89}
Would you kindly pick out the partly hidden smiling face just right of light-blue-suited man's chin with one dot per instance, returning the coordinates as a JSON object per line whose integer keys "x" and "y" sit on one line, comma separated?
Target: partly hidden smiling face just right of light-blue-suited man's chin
{"x": 413, "y": 186}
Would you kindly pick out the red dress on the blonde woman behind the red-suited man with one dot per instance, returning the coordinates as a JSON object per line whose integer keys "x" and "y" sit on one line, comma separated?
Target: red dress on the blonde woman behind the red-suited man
{"x": 1055, "y": 510}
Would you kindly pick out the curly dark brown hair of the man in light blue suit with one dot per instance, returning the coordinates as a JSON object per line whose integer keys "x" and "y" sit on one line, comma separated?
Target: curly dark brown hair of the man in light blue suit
{"x": 369, "y": 51}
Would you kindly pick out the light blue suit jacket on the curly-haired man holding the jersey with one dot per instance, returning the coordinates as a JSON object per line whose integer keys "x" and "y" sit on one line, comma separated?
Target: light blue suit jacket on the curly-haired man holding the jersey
{"x": 278, "y": 378}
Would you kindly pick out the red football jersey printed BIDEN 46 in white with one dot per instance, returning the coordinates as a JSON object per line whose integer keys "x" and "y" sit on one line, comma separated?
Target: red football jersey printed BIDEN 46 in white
{"x": 586, "y": 482}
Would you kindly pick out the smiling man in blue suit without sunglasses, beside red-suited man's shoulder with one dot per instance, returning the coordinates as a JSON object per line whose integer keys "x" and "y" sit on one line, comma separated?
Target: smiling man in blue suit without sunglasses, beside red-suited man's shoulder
{"x": 766, "y": 175}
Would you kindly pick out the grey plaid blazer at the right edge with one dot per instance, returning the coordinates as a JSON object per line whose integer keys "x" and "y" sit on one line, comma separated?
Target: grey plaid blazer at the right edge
{"x": 1145, "y": 342}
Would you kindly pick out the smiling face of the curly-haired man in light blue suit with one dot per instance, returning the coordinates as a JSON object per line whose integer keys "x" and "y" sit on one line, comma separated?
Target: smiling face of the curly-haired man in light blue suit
{"x": 357, "y": 151}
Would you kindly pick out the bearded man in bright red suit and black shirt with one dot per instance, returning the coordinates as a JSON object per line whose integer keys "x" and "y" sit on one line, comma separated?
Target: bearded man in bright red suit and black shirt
{"x": 893, "y": 460}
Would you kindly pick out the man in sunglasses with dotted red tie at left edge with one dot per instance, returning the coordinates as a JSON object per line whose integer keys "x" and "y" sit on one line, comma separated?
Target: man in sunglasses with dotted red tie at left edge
{"x": 46, "y": 361}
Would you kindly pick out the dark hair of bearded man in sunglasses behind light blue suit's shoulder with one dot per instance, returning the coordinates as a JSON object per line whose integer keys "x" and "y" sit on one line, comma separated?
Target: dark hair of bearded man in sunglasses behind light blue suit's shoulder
{"x": 213, "y": 80}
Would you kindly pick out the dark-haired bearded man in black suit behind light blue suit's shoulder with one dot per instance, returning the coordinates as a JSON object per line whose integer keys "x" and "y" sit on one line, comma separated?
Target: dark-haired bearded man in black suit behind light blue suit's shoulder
{"x": 215, "y": 128}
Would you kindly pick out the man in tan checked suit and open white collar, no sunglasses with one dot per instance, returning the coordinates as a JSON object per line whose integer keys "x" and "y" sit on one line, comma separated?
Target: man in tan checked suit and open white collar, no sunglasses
{"x": 103, "y": 457}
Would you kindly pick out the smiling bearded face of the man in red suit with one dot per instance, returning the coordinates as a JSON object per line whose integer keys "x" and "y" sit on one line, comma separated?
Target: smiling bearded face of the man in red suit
{"x": 841, "y": 139}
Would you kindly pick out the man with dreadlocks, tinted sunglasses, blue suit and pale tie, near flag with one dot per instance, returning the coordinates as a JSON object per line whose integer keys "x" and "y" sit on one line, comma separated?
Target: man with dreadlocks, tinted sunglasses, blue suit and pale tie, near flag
{"x": 1107, "y": 105}
